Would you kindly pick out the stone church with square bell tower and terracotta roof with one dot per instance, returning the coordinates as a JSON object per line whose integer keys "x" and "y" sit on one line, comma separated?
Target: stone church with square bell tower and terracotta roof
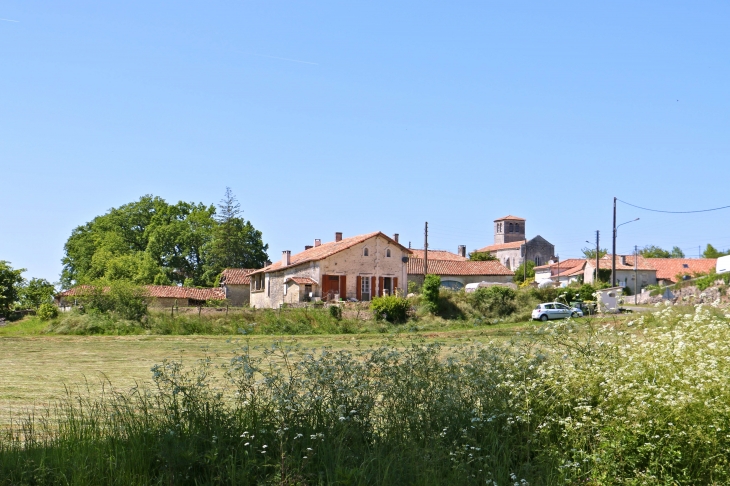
{"x": 511, "y": 246}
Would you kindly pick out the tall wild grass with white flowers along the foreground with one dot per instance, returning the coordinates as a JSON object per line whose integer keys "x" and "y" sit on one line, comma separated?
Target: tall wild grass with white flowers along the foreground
{"x": 648, "y": 403}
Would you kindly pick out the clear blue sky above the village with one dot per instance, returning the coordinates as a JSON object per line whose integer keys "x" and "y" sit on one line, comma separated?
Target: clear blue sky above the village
{"x": 357, "y": 116}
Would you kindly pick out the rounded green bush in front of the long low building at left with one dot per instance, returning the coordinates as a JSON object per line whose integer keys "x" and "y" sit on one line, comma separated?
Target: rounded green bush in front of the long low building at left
{"x": 120, "y": 298}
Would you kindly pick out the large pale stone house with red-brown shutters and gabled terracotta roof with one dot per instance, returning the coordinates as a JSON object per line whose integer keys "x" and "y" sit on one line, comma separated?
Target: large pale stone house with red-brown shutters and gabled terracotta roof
{"x": 355, "y": 268}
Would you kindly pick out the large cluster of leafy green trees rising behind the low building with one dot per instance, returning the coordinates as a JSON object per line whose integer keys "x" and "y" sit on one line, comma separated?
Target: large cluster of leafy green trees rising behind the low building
{"x": 152, "y": 242}
